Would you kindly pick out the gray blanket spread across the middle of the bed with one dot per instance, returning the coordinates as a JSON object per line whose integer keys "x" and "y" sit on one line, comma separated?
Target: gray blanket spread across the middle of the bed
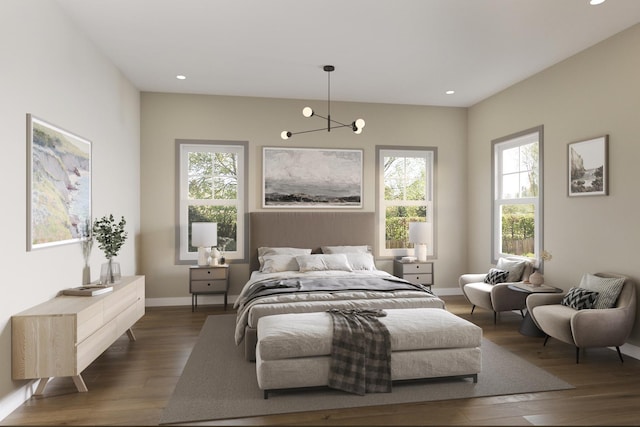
{"x": 329, "y": 284}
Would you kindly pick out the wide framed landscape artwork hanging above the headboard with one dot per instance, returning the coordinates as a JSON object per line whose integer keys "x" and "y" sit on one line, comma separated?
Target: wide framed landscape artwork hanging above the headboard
{"x": 311, "y": 178}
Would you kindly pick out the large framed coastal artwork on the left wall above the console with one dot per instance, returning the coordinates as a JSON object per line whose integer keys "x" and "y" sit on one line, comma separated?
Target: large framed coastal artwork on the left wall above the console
{"x": 58, "y": 185}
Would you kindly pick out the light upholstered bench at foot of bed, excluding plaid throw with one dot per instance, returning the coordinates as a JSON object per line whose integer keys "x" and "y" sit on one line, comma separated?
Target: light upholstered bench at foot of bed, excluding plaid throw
{"x": 294, "y": 349}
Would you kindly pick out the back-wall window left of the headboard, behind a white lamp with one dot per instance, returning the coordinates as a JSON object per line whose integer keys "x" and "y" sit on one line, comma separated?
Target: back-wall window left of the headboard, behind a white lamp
{"x": 211, "y": 182}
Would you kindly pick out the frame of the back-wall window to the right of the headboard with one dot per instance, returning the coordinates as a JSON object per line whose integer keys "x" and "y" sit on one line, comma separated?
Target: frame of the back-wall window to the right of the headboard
{"x": 383, "y": 151}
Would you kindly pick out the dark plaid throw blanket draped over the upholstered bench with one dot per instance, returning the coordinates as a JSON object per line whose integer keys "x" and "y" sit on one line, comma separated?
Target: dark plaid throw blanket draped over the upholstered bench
{"x": 360, "y": 352}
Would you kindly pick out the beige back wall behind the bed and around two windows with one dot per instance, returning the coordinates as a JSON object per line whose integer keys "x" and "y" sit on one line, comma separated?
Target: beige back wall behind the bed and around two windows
{"x": 167, "y": 117}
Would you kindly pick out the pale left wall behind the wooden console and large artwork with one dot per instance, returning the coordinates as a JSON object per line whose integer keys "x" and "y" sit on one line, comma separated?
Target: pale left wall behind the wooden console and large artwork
{"x": 51, "y": 70}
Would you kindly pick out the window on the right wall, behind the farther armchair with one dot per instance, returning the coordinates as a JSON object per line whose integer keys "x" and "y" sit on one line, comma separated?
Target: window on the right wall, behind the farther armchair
{"x": 517, "y": 195}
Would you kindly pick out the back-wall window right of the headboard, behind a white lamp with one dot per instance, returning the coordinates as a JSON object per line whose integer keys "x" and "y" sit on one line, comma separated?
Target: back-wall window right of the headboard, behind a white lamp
{"x": 405, "y": 193}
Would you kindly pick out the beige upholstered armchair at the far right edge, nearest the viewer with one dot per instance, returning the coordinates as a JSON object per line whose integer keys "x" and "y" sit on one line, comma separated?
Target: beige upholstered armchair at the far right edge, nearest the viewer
{"x": 583, "y": 327}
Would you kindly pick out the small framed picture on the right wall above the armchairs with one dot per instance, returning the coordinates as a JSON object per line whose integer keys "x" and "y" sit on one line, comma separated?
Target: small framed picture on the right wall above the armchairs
{"x": 588, "y": 169}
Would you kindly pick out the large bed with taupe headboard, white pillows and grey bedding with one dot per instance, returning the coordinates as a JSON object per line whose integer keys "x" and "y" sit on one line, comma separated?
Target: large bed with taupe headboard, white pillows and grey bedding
{"x": 347, "y": 235}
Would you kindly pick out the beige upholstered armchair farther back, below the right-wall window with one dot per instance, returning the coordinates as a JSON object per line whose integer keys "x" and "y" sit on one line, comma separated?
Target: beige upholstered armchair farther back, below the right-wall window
{"x": 497, "y": 297}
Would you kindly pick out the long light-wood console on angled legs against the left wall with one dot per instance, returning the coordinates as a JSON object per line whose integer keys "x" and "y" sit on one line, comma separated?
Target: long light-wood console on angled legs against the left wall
{"x": 62, "y": 336}
